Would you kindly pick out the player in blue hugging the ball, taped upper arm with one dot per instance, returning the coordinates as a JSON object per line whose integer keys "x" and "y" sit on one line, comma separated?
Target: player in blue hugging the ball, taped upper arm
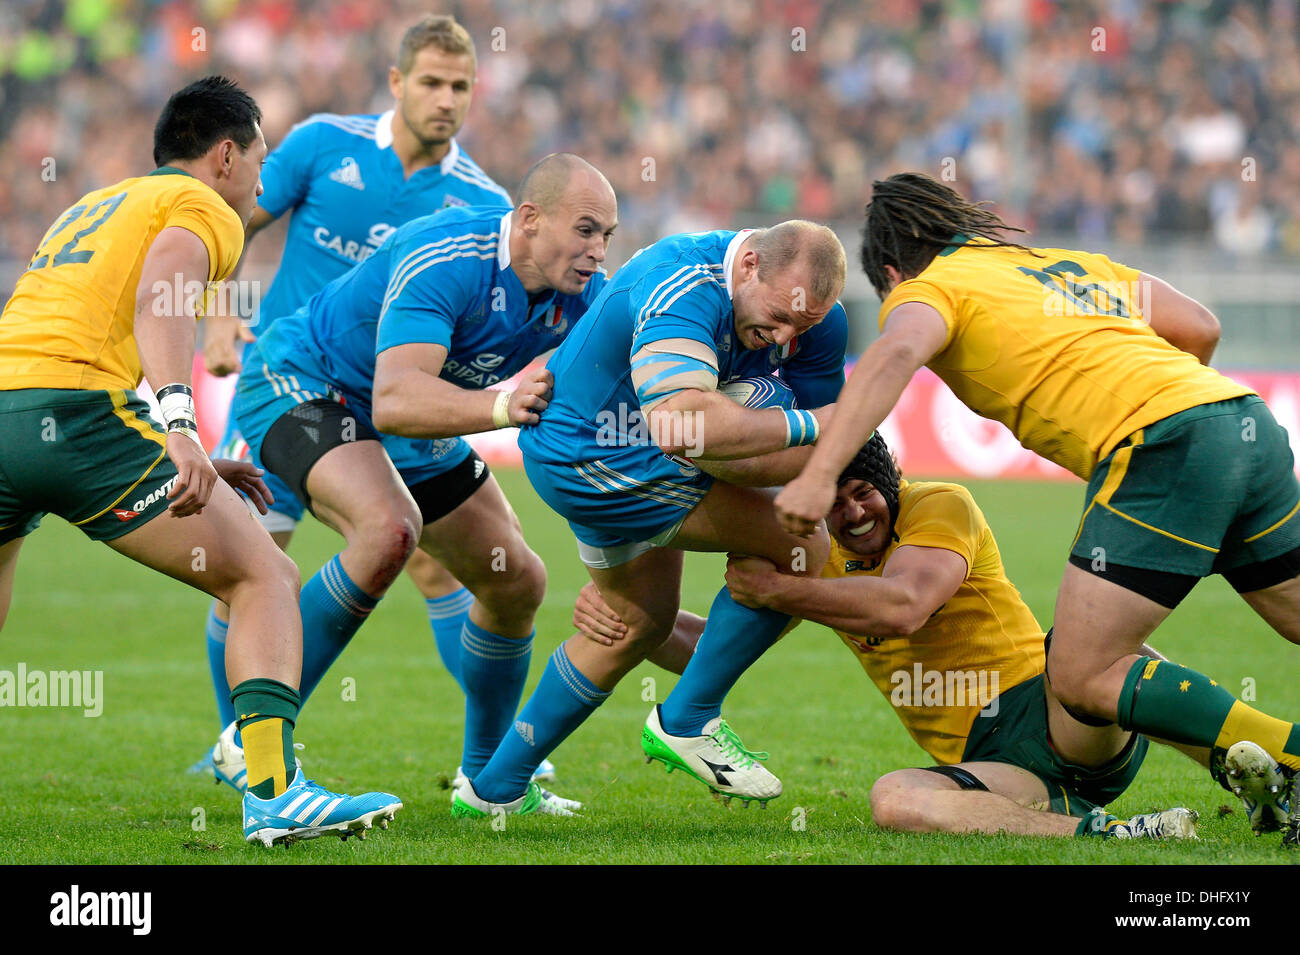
{"x": 622, "y": 450}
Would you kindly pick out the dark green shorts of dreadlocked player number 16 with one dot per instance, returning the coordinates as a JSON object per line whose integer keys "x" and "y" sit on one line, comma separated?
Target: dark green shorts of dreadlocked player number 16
{"x": 1208, "y": 490}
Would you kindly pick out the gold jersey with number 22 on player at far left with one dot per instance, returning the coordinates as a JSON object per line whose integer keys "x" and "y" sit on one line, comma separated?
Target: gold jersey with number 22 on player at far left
{"x": 71, "y": 322}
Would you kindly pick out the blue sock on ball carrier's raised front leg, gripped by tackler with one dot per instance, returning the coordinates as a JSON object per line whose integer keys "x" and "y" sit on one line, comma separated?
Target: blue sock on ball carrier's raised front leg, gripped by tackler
{"x": 735, "y": 637}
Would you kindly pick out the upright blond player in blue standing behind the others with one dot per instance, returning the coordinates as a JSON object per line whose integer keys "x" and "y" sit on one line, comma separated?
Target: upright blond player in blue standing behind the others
{"x": 348, "y": 183}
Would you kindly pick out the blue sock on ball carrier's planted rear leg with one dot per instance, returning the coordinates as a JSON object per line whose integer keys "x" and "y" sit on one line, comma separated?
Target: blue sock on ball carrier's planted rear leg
{"x": 560, "y": 705}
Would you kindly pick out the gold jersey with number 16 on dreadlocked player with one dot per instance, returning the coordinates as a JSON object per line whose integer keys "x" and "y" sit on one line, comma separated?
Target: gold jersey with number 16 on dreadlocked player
{"x": 1056, "y": 348}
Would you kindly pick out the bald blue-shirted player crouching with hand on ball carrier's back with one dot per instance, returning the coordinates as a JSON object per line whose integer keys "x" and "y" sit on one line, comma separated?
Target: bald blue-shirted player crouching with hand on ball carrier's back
{"x": 449, "y": 306}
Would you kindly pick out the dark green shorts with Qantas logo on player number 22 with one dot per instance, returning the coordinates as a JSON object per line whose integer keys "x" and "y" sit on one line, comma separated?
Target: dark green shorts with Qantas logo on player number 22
{"x": 94, "y": 458}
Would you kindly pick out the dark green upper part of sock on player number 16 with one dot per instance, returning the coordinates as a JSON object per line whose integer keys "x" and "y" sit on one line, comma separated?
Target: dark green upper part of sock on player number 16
{"x": 1164, "y": 700}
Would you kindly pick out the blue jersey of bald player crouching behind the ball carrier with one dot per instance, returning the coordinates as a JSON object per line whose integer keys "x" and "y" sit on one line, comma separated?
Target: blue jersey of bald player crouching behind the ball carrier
{"x": 443, "y": 280}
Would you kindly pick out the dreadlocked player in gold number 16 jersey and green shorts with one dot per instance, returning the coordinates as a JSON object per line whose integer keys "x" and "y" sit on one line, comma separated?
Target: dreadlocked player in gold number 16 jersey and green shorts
{"x": 1099, "y": 368}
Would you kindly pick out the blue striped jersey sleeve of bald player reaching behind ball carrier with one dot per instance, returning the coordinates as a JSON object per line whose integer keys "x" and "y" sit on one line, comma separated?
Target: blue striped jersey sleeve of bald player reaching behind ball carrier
{"x": 426, "y": 298}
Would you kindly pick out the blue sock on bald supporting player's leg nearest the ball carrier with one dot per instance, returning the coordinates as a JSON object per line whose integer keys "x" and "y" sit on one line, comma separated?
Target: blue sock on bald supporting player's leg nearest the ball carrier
{"x": 495, "y": 670}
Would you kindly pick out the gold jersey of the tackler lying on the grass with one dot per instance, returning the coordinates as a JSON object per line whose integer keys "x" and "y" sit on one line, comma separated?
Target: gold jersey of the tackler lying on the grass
{"x": 983, "y": 641}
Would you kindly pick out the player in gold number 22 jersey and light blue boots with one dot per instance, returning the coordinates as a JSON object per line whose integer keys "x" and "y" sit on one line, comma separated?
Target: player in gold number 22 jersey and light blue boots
{"x": 96, "y": 312}
